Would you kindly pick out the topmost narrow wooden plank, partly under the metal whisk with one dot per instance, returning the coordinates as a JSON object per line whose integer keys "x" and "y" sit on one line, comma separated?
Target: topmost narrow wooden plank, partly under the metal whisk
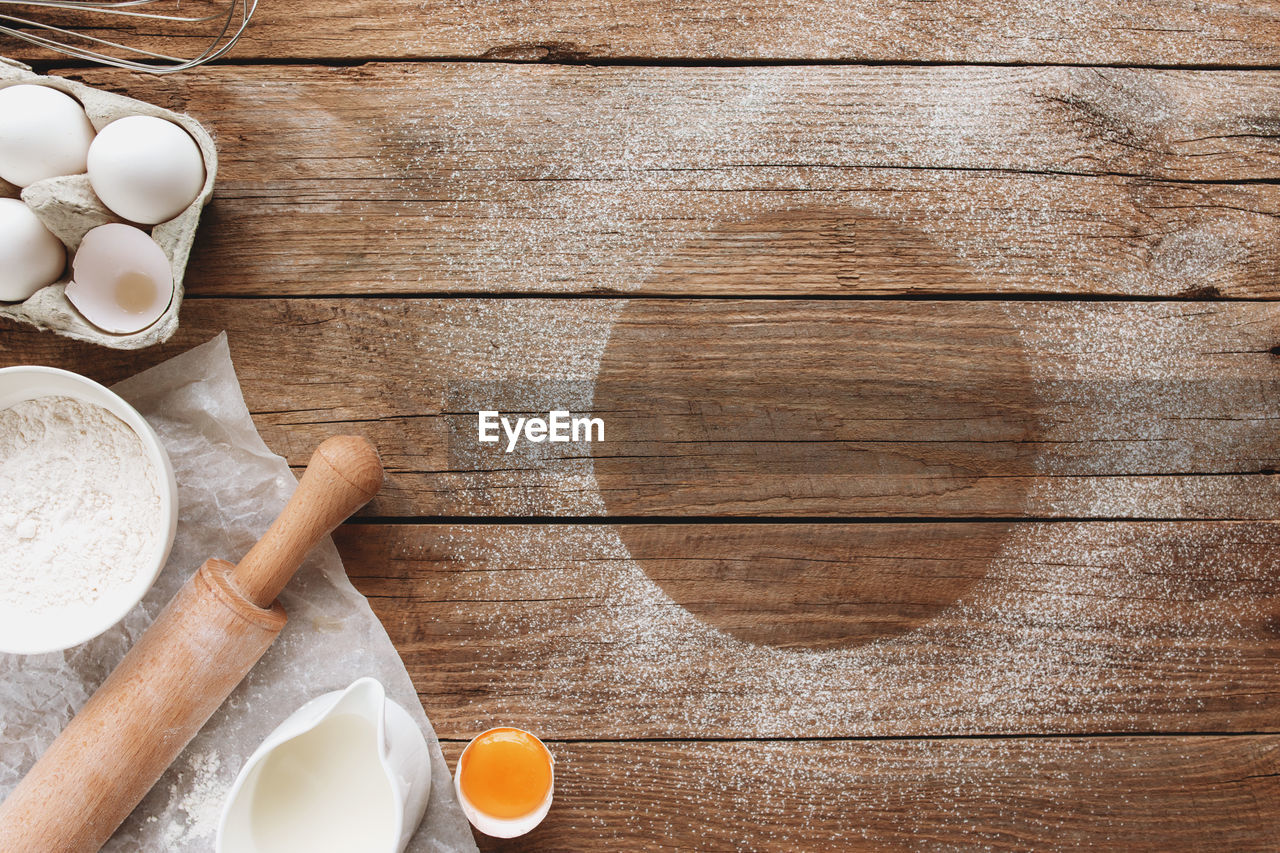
{"x": 1160, "y": 33}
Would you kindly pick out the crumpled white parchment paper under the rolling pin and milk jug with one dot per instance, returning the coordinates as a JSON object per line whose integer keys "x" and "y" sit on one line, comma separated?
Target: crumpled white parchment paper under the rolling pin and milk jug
{"x": 231, "y": 487}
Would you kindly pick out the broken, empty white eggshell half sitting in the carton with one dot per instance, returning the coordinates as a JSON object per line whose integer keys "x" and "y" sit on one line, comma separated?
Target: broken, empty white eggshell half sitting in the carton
{"x": 121, "y": 280}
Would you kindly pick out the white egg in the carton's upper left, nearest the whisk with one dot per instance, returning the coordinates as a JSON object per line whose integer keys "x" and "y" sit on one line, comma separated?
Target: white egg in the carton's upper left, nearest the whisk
{"x": 44, "y": 134}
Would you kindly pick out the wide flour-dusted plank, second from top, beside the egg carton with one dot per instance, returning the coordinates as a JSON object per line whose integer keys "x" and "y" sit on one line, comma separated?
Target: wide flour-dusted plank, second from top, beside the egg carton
{"x": 510, "y": 179}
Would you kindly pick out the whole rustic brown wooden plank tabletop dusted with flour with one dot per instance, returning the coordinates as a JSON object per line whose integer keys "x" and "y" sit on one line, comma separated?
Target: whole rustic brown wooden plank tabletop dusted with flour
{"x": 939, "y": 350}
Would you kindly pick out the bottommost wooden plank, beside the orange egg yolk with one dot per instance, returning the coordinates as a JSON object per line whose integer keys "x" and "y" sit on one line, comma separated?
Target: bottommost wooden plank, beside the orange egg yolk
{"x": 1144, "y": 795}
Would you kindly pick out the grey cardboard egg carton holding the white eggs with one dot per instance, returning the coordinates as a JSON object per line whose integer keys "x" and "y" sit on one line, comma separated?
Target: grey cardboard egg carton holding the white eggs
{"x": 70, "y": 209}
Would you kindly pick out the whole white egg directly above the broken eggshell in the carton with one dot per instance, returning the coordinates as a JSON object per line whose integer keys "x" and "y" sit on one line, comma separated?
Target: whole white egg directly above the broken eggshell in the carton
{"x": 145, "y": 170}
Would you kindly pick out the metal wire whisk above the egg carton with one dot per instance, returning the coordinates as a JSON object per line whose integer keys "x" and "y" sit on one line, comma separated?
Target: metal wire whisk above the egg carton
{"x": 223, "y": 26}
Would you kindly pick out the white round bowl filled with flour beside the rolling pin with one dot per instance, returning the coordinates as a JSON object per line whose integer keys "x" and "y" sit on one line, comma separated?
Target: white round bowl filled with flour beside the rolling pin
{"x": 89, "y": 509}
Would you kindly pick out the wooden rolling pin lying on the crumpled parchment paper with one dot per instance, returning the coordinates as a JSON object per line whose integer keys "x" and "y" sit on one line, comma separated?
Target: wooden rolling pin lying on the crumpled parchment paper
{"x": 181, "y": 670}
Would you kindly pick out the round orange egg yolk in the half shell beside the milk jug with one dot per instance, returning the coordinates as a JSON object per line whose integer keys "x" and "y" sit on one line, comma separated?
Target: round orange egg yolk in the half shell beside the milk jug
{"x": 506, "y": 774}
